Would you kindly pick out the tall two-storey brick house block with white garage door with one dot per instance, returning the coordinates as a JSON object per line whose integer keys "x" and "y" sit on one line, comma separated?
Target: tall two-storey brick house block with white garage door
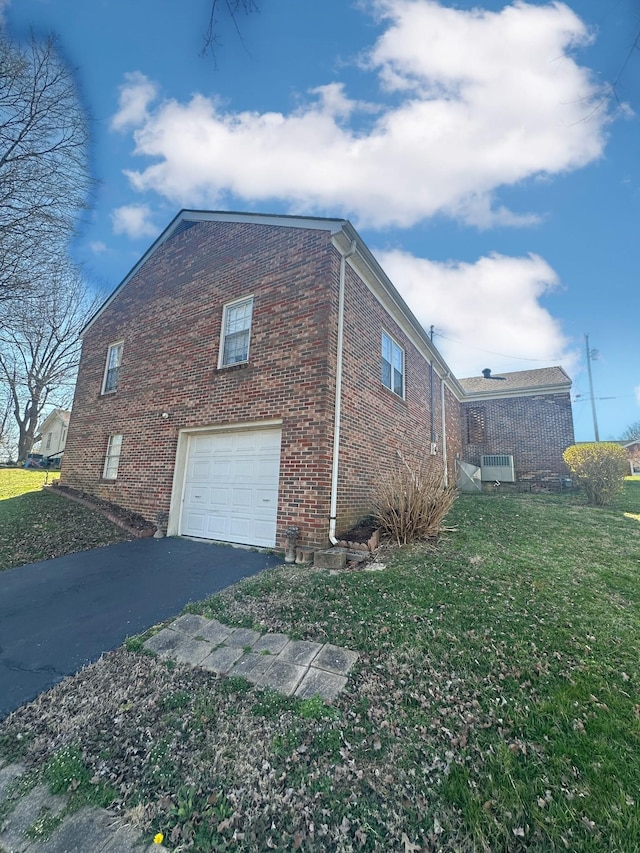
{"x": 254, "y": 372}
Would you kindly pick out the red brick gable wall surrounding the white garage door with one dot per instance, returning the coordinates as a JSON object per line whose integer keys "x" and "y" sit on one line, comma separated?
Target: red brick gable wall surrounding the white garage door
{"x": 169, "y": 316}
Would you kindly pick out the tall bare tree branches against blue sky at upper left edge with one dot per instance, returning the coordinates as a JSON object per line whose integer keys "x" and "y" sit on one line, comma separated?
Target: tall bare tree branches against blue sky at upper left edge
{"x": 44, "y": 172}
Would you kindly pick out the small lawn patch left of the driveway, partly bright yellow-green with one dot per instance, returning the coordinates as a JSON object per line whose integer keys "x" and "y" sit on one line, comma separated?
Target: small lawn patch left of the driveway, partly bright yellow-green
{"x": 37, "y": 524}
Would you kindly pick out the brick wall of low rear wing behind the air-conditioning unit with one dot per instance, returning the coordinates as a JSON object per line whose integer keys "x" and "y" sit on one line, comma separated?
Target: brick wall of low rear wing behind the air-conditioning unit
{"x": 535, "y": 430}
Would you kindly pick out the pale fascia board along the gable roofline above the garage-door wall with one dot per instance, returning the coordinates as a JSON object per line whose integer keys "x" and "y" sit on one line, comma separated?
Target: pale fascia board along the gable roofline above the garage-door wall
{"x": 311, "y": 222}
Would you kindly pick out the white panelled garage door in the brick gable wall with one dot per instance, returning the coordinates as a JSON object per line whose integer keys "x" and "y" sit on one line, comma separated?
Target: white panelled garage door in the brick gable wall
{"x": 231, "y": 487}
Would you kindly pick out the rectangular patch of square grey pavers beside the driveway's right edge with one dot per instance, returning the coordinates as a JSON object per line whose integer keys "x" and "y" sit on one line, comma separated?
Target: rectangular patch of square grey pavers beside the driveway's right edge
{"x": 294, "y": 667}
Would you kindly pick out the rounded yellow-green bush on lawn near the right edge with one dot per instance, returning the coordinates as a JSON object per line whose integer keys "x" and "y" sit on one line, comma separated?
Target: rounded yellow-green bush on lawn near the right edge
{"x": 599, "y": 467}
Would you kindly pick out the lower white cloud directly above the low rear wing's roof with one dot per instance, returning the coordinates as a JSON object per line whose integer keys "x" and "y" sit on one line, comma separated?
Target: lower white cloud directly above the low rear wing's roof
{"x": 487, "y": 313}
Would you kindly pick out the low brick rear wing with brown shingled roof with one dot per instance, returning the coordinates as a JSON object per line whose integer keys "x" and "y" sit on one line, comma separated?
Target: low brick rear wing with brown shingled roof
{"x": 526, "y": 414}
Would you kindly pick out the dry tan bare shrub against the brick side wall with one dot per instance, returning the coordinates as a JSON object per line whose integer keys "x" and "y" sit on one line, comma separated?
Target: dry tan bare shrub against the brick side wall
{"x": 411, "y": 504}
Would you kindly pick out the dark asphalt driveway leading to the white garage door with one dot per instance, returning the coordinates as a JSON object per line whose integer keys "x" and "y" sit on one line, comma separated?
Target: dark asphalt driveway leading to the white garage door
{"x": 59, "y": 615}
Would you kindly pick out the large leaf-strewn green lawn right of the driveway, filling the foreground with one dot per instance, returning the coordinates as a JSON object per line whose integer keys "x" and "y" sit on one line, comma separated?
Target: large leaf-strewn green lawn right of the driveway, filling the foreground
{"x": 495, "y": 706}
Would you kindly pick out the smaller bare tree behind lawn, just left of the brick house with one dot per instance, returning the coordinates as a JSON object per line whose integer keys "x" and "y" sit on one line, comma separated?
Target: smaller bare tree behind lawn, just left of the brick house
{"x": 40, "y": 351}
